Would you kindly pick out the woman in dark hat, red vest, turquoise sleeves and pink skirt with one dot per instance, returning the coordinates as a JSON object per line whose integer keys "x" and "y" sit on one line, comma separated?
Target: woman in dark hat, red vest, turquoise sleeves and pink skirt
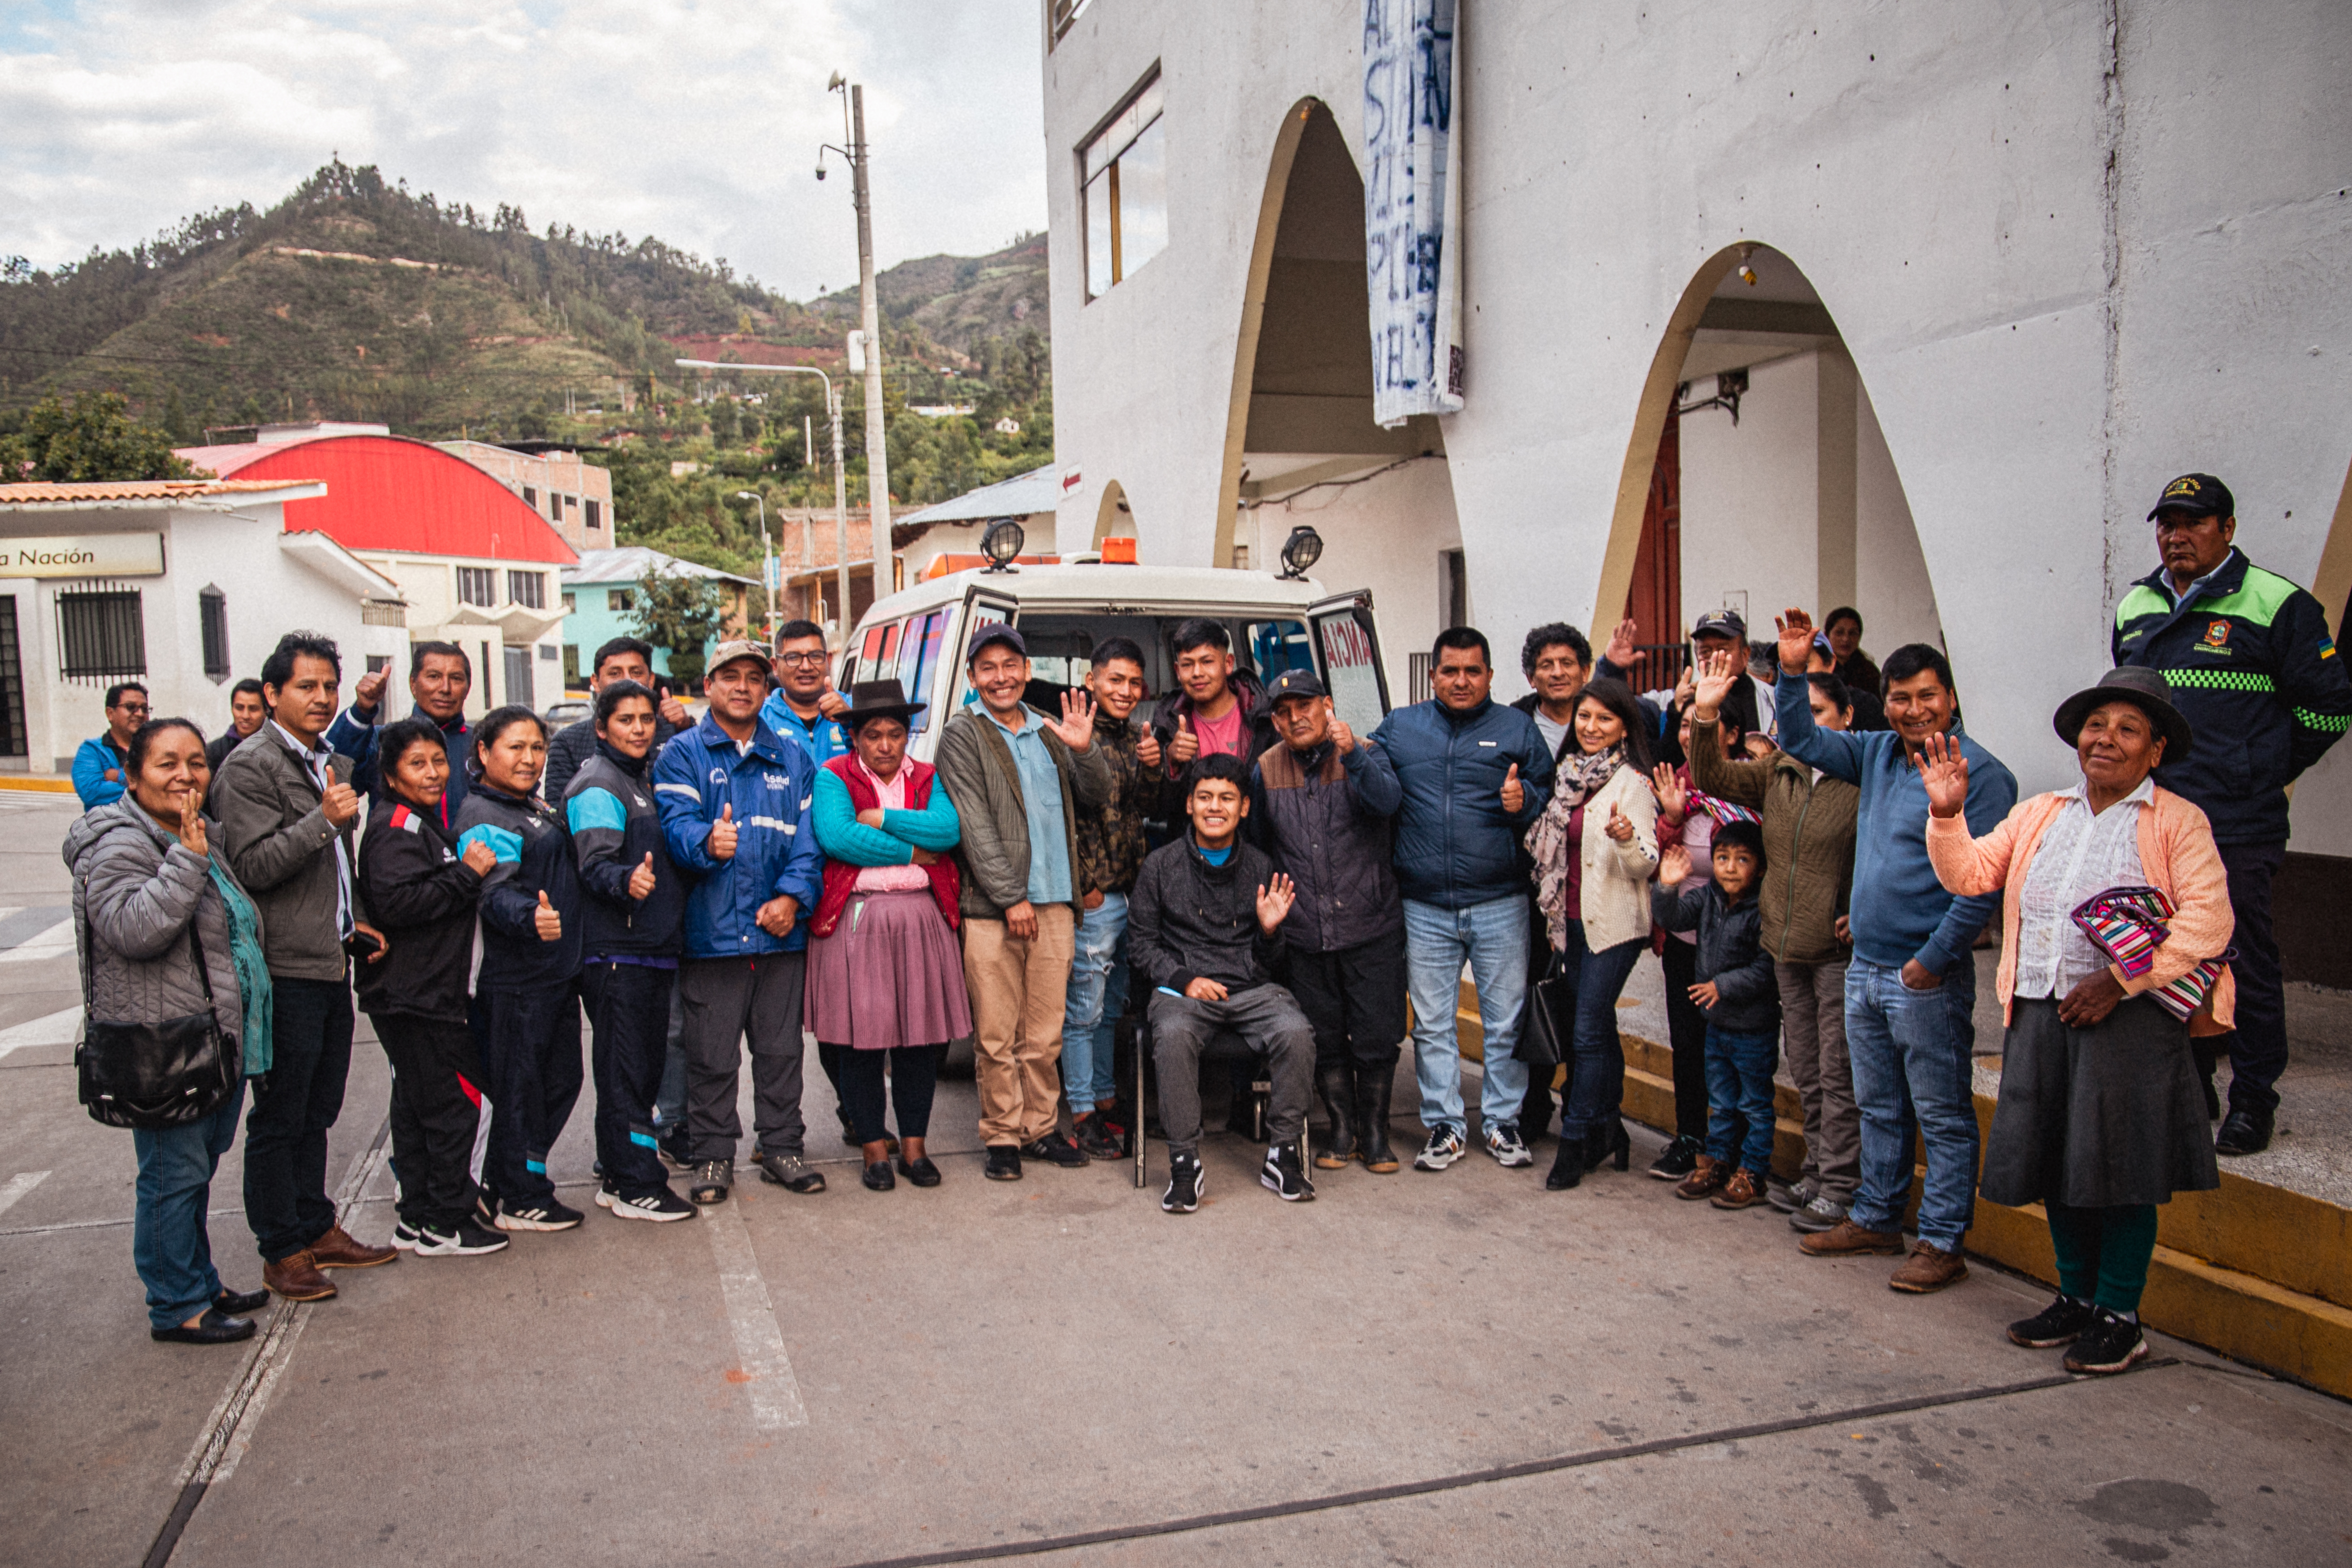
{"x": 886, "y": 974}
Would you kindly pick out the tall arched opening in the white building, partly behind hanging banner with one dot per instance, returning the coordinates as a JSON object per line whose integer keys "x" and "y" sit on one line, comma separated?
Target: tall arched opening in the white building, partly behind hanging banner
{"x": 1302, "y": 445}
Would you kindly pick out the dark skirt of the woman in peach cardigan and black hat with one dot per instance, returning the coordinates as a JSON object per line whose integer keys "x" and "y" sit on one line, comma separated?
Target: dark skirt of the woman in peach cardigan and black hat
{"x": 2099, "y": 1118}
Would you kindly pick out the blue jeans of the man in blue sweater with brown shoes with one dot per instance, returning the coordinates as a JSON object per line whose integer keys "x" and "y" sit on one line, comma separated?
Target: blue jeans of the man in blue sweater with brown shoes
{"x": 1911, "y": 1073}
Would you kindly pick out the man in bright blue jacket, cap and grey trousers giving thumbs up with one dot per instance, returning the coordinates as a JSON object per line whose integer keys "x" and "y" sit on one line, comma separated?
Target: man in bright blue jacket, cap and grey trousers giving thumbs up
{"x": 735, "y": 812}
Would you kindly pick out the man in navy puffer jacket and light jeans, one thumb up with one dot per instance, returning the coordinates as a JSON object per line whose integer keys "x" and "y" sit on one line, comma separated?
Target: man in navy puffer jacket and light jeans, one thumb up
{"x": 1476, "y": 777}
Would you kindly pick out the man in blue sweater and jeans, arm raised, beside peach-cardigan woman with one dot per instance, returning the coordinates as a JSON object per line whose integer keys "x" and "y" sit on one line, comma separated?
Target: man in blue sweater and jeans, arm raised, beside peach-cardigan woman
{"x": 1911, "y": 986}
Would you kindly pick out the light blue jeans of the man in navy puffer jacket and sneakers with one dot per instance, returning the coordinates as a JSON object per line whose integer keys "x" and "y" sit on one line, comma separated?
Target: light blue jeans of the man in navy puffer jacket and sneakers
{"x": 1492, "y": 939}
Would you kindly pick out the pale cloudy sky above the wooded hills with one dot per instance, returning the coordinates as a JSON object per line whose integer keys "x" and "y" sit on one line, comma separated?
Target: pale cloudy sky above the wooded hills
{"x": 695, "y": 121}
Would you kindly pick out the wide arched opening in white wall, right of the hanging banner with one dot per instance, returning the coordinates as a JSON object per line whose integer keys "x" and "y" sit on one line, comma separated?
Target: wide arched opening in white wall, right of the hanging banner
{"x": 1758, "y": 476}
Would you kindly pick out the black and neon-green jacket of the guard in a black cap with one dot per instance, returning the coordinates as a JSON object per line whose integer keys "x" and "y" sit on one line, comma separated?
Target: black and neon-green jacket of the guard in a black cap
{"x": 2257, "y": 676}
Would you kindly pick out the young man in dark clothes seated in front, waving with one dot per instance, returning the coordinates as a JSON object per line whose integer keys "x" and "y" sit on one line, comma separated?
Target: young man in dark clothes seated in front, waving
{"x": 1203, "y": 930}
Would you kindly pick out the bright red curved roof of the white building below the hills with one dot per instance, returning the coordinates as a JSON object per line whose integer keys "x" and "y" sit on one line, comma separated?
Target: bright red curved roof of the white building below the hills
{"x": 387, "y": 492}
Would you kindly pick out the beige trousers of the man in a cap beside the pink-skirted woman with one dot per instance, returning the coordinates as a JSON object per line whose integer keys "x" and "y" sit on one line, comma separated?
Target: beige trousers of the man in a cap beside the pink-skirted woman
{"x": 1017, "y": 1005}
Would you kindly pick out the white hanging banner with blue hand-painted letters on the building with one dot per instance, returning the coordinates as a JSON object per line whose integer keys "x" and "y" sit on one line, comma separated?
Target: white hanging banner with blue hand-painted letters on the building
{"x": 1412, "y": 208}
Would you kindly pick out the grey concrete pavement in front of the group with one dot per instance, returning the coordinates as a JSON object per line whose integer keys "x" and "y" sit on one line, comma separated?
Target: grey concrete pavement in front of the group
{"x": 989, "y": 1367}
